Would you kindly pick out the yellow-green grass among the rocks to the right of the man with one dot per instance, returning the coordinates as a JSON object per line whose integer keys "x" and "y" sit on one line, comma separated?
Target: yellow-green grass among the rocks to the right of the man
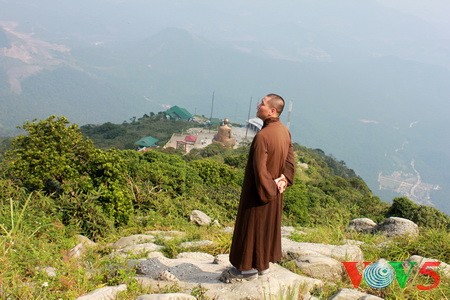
{"x": 431, "y": 243}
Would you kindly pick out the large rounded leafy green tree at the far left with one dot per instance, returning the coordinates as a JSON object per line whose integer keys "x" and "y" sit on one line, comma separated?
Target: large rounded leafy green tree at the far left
{"x": 50, "y": 157}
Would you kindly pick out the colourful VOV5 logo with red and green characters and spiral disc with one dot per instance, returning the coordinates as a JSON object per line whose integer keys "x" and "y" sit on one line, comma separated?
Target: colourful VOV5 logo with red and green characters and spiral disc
{"x": 381, "y": 273}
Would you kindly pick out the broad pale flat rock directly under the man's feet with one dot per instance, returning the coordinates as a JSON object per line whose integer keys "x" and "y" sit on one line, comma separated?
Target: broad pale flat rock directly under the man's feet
{"x": 202, "y": 271}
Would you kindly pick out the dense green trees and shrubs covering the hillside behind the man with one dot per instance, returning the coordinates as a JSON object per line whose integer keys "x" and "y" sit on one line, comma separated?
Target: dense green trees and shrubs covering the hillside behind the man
{"x": 56, "y": 183}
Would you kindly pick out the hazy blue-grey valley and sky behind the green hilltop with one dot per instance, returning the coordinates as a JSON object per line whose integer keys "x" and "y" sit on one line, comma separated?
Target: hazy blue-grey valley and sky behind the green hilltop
{"x": 368, "y": 80}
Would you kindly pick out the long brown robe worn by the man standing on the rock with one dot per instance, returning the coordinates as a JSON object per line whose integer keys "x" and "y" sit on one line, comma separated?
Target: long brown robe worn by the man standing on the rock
{"x": 257, "y": 232}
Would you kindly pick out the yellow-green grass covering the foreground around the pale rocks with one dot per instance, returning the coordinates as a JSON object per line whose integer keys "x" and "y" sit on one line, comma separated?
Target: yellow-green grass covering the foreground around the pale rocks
{"x": 31, "y": 241}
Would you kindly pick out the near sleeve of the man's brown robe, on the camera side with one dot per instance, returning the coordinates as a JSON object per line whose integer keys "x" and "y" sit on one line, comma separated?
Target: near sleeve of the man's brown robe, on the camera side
{"x": 265, "y": 185}
